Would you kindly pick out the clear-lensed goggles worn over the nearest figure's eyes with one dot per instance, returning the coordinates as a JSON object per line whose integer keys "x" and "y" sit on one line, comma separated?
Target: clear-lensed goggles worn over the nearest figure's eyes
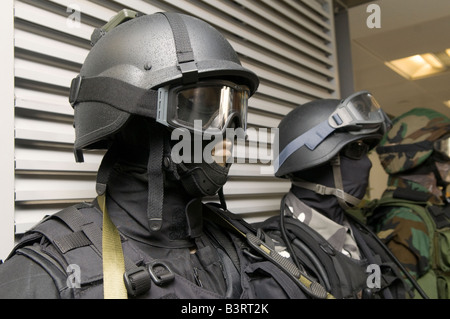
{"x": 206, "y": 107}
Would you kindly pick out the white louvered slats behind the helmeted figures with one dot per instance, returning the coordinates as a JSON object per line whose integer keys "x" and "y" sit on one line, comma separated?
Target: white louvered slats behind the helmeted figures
{"x": 288, "y": 43}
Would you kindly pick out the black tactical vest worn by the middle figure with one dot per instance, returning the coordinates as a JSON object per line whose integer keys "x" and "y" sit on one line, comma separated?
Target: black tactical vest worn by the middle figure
{"x": 343, "y": 276}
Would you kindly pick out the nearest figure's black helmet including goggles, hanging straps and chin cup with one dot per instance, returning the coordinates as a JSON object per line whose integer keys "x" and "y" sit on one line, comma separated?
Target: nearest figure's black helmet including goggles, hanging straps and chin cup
{"x": 170, "y": 68}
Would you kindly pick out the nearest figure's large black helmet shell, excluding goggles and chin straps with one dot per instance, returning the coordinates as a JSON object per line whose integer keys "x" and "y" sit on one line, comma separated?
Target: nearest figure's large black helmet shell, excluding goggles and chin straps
{"x": 128, "y": 64}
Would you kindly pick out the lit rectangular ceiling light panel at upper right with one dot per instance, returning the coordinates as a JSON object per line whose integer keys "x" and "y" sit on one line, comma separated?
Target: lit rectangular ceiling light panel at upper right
{"x": 417, "y": 66}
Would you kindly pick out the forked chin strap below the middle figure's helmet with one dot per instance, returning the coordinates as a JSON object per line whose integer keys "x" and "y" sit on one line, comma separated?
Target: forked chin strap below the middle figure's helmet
{"x": 338, "y": 191}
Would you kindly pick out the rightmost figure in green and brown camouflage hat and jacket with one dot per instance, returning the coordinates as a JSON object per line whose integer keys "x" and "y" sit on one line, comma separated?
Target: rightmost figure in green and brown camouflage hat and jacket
{"x": 411, "y": 217}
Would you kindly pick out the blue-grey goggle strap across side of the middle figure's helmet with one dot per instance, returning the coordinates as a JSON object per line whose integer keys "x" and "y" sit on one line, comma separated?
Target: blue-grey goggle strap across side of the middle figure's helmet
{"x": 311, "y": 138}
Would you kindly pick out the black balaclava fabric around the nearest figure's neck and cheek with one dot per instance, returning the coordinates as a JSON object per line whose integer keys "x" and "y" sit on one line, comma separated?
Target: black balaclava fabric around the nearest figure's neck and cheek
{"x": 127, "y": 195}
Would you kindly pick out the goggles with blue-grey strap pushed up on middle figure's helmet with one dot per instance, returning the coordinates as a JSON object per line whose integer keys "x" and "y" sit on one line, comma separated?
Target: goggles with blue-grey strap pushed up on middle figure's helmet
{"x": 358, "y": 114}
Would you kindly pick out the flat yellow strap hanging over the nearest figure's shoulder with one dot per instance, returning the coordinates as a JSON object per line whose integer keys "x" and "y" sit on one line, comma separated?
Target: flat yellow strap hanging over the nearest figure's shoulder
{"x": 113, "y": 260}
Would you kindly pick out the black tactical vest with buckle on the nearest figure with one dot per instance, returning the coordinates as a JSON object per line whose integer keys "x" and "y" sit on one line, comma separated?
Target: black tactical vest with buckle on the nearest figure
{"x": 71, "y": 240}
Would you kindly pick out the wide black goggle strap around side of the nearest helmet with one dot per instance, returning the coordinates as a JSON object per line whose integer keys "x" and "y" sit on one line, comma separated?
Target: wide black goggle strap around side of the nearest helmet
{"x": 116, "y": 93}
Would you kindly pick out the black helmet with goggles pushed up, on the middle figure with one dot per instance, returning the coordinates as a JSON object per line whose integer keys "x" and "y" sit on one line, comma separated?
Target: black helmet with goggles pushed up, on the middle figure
{"x": 311, "y": 121}
